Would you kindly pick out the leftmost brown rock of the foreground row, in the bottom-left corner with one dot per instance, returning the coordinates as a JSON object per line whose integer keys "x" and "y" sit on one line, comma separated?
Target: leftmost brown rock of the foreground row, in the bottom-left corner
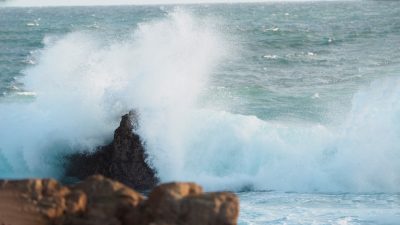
{"x": 31, "y": 201}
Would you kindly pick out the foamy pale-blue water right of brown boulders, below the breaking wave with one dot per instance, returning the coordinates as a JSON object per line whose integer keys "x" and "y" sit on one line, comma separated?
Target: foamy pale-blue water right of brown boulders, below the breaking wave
{"x": 304, "y": 208}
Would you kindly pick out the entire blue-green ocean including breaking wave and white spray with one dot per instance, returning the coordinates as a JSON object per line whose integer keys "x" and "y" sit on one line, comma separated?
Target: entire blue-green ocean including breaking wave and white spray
{"x": 295, "y": 106}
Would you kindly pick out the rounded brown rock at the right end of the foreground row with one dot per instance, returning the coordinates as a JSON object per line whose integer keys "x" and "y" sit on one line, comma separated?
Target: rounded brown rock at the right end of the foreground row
{"x": 185, "y": 203}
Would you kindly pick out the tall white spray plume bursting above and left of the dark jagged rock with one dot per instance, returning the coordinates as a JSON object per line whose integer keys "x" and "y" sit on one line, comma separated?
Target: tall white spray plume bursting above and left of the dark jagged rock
{"x": 83, "y": 84}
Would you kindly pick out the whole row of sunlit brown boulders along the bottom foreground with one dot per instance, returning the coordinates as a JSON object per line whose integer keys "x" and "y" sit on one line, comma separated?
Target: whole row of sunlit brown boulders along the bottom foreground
{"x": 101, "y": 201}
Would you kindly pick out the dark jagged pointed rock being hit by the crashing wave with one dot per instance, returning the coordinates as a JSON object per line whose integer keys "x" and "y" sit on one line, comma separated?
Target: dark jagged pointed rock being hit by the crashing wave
{"x": 123, "y": 160}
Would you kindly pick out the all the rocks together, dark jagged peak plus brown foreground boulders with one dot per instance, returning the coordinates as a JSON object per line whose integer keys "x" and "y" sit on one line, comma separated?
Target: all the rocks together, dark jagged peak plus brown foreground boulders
{"x": 97, "y": 200}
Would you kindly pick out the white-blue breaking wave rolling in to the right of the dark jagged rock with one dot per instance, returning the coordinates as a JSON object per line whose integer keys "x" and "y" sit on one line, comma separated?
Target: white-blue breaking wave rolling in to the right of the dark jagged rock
{"x": 224, "y": 150}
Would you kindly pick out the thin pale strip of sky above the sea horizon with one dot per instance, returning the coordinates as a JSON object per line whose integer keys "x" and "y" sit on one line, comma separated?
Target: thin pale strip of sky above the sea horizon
{"x": 115, "y": 2}
